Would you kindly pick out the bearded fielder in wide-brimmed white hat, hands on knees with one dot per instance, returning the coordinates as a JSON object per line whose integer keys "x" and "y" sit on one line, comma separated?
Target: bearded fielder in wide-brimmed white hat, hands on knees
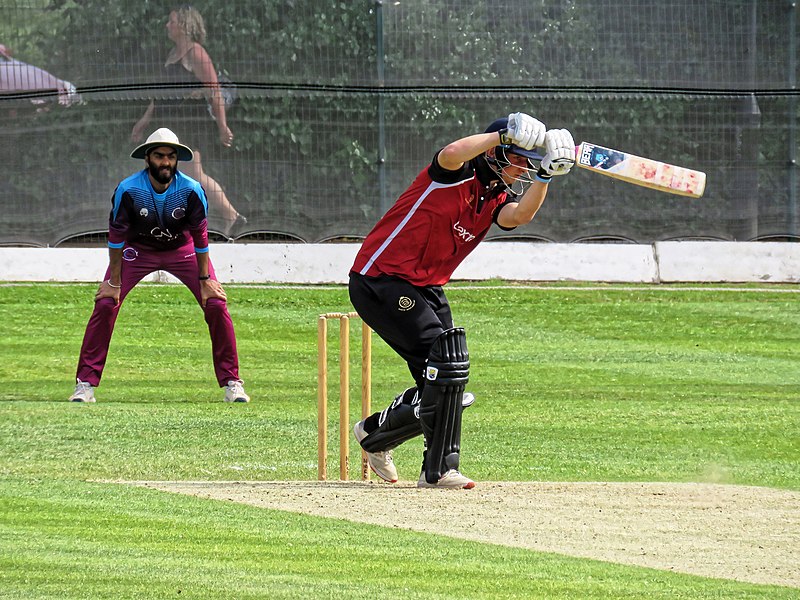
{"x": 158, "y": 222}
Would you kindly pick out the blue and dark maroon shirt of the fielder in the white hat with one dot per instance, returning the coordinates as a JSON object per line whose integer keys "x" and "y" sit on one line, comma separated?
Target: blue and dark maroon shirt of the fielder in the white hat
{"x": 145, "y": 218}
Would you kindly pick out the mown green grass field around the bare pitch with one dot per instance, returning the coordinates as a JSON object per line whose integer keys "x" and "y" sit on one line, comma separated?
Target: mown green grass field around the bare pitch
{"x": 574, "y": 383}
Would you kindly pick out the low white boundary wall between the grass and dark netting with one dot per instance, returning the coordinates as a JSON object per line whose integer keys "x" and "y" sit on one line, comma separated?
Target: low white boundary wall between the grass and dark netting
{"x": 662, "y": 262}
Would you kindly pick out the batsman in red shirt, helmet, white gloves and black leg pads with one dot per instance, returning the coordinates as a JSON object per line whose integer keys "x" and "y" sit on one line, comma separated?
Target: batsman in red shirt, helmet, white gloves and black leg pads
{"x": 397, "y": 278}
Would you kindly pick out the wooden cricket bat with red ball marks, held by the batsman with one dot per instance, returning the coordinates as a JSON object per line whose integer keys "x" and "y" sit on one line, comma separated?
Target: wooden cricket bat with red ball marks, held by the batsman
{"x": 640, "y": 171}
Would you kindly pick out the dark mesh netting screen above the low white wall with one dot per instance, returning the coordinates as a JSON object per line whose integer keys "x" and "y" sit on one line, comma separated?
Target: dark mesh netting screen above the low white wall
{"x": 339, "y": 104}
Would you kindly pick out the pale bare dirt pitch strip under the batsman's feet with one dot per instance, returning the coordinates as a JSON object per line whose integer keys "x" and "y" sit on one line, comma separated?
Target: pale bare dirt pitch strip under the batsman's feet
{"x": 734, "y": 532}
